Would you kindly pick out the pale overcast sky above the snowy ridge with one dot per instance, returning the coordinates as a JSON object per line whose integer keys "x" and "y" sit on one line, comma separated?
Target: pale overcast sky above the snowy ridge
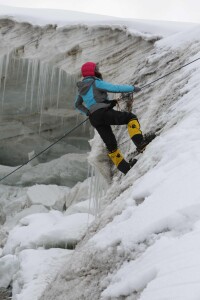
{"x": 170, "y": 10}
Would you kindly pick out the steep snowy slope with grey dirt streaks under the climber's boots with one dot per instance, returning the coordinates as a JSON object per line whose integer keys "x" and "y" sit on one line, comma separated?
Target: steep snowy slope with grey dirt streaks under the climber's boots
{"x": 145, "y": 242}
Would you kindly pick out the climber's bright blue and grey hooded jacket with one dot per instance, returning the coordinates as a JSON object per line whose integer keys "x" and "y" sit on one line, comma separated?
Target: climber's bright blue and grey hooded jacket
{"x": 93, "y": 93}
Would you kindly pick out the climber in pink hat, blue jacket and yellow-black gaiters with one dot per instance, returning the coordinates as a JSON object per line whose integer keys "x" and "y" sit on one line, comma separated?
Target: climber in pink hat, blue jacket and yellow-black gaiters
{"x": 93, "y": 101}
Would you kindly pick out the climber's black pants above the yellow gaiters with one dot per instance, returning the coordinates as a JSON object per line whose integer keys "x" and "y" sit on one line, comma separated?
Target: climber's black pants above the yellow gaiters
{"x": 103, "y": 118}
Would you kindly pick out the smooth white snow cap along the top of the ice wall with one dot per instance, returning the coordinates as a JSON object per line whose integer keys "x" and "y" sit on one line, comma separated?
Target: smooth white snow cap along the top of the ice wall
{"x": 62, "y": 18}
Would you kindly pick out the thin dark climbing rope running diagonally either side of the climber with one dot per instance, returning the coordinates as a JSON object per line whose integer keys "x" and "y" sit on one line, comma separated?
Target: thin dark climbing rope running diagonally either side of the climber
{"x": 130, "y": 98}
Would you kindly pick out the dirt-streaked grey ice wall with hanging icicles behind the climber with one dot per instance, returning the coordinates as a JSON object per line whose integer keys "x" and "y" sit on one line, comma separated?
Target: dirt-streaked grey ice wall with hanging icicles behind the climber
{"x": 39, "y": 67}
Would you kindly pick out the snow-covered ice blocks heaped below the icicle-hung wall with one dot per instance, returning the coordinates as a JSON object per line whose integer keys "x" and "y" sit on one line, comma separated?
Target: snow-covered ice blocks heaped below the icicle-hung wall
{"x": 42, "y": 237}
